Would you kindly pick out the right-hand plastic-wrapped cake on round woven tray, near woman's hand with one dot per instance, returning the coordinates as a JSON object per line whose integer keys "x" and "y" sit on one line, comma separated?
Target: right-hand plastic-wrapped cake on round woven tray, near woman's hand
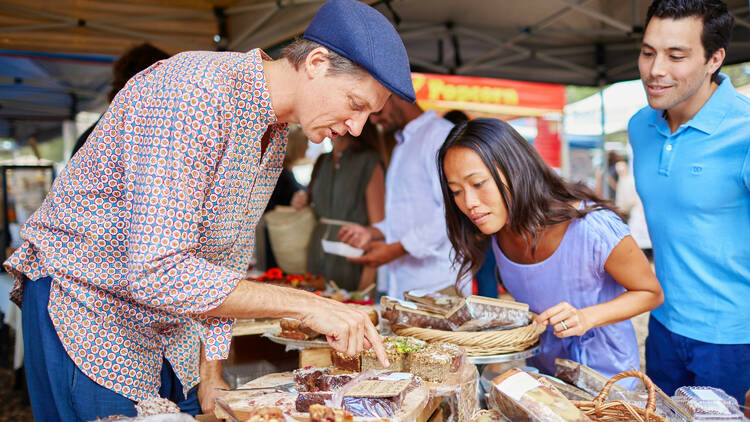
{"x": 481, "y": 313}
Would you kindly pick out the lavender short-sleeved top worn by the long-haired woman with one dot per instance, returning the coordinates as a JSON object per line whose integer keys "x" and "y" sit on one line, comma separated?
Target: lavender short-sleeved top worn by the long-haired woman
{"x": 575, "y": 273}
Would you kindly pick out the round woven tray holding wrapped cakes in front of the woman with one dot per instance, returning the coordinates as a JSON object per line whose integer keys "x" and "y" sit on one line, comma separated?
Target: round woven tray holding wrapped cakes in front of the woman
{"x": 479, "y": 343}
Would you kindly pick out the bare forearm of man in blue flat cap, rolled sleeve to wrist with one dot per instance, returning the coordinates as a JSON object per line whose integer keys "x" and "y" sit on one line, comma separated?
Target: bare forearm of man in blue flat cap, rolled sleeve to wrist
{"x": 257, "y": 300}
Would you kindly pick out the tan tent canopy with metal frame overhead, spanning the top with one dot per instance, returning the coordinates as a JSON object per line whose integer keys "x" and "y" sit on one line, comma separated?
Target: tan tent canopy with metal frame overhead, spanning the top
{"x": 581, "y": 42}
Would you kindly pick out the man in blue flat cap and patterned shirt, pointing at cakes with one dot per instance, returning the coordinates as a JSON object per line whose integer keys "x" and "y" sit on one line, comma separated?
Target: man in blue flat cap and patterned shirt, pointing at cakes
{"x": 135, "y": 262}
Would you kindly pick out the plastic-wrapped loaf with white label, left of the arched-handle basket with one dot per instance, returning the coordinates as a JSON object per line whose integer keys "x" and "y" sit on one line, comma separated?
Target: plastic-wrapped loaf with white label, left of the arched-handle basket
{"x": 521, "y": 398}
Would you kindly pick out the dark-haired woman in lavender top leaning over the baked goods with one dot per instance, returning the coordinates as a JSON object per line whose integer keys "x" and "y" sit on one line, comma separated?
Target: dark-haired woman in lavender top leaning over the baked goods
{"x": 559, "y": 247}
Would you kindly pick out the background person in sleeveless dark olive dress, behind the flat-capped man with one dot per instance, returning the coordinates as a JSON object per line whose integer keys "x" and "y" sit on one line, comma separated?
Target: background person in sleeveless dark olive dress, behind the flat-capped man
{"x": 348, "y": 185}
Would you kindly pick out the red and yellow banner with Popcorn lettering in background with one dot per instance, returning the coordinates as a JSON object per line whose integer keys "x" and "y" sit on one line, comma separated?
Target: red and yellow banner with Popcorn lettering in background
{"x": 488, "y": 95}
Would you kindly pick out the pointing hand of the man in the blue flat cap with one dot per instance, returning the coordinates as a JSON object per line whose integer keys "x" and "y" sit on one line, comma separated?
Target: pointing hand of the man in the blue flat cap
{"x": 348, "y": 330}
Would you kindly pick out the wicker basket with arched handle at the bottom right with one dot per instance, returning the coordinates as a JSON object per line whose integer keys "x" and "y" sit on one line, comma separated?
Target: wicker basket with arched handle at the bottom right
{"x": 617, "y": 410}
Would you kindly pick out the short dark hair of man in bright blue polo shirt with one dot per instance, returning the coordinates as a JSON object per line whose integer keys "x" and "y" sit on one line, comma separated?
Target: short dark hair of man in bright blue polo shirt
{"x": 717, "y": 21}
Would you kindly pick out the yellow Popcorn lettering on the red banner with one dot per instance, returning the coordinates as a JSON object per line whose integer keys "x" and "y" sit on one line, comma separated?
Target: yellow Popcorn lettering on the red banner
{"x": 437, "y": 89}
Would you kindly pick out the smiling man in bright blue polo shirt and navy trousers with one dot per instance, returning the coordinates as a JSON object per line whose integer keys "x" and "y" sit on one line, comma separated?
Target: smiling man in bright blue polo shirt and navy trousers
{"x": 691, "y": 149}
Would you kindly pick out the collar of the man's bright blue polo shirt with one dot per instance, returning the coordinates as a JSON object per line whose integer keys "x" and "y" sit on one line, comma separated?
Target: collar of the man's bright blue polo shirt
{"x": 708, "y": 118}
